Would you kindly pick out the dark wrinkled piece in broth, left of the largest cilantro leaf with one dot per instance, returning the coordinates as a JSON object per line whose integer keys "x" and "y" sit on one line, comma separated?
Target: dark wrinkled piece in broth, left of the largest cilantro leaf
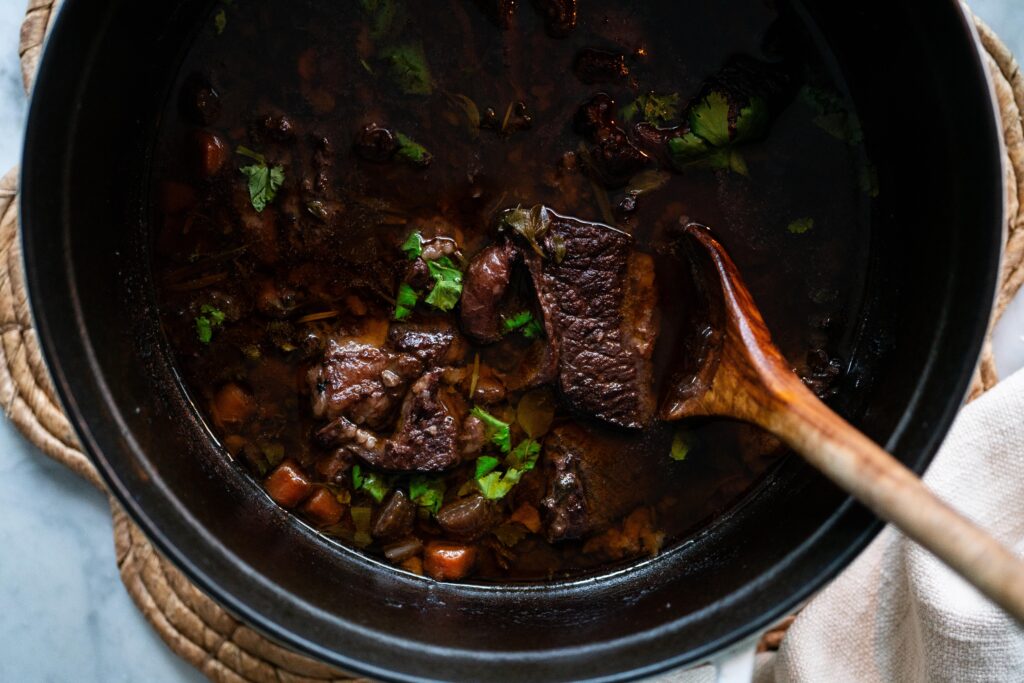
{"x": 613, "y": 157}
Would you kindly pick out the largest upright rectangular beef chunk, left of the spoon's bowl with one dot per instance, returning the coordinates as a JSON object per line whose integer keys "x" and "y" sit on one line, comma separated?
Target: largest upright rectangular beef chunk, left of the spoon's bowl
{"x": 600, "y": 302}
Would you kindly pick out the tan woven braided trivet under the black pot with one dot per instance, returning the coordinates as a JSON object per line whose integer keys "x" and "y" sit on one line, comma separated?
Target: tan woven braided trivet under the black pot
{"x": 193, "y": 625}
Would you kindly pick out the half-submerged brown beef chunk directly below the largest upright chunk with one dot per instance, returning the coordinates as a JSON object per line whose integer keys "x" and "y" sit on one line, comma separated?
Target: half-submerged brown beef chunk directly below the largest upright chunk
{"x": 595, "y": 477}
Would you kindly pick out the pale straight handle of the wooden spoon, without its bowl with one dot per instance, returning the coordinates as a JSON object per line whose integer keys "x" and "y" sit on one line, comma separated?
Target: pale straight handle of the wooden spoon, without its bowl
{"x": 897, "y": 495}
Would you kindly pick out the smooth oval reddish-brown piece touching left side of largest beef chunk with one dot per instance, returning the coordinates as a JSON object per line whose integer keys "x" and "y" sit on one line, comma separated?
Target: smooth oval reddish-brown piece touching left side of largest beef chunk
{"x": 485, "y": 285}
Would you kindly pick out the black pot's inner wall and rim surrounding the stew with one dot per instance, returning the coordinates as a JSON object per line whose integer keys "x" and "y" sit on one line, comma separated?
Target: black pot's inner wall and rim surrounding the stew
{"x": 923, "y": 95}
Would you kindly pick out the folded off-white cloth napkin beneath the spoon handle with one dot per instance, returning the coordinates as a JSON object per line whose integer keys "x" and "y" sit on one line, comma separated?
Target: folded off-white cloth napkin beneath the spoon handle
{"x": 898, "y": 614}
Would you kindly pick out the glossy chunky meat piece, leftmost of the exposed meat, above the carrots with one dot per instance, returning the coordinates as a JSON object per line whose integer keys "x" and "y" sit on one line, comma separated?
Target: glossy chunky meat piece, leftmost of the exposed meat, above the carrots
{"x": 361, "y": 382}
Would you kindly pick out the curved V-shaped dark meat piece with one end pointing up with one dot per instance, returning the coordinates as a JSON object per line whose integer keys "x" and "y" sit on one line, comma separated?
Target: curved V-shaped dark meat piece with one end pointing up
{"x": 428, "y": 439}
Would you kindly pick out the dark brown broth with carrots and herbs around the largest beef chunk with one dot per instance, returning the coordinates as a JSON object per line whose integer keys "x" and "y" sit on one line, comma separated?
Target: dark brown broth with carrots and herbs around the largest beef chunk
{"x": 340, "y": 104}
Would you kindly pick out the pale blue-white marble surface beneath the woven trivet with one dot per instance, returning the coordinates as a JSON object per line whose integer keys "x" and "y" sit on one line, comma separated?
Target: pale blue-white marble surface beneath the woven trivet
{"x": 64, "y": 614}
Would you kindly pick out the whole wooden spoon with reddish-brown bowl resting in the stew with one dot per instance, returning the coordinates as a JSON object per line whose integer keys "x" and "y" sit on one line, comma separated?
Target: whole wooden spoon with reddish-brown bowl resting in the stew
{"x": 746, "y": 377}
